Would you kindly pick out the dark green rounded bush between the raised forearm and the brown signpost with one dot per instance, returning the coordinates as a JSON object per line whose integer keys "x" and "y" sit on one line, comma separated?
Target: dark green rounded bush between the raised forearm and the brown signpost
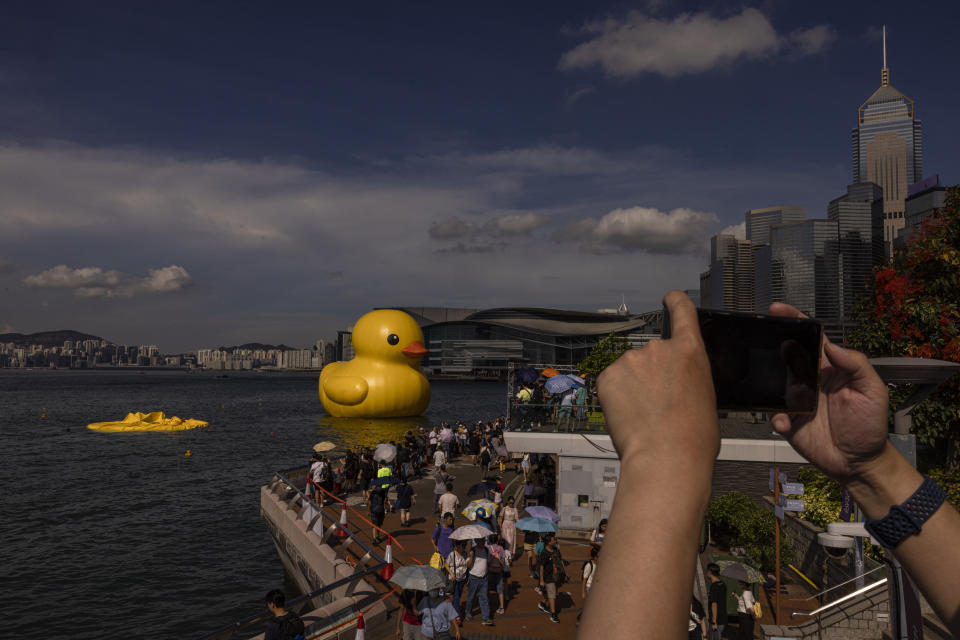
{"x": 738, "y": 521}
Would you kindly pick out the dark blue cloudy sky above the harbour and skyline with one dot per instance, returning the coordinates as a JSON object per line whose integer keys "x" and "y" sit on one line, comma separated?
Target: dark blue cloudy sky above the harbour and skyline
{"x": 228, "y": 172}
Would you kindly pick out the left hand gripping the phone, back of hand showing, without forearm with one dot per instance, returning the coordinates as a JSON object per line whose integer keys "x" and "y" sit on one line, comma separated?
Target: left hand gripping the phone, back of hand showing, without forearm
{"x": 659, "y": 401}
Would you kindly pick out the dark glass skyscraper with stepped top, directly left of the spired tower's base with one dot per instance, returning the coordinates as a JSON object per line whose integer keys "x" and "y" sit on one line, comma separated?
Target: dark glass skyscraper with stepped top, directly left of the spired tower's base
{"x": 859, "y": 218}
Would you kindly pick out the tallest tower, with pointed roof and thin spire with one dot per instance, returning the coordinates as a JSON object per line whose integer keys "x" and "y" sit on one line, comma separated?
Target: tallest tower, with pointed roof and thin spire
{"x": 888, "y": 149}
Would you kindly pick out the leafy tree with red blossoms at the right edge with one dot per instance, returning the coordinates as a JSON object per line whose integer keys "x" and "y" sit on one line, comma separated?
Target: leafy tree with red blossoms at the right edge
{"x": 914, "y": 312}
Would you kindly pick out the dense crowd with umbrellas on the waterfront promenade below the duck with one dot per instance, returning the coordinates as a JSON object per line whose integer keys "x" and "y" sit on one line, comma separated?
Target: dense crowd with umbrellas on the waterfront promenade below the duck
{"x": 477, "y": 571}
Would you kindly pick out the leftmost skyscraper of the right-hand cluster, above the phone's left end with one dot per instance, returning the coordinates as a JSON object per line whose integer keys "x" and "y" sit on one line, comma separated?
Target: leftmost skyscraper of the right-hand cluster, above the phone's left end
{"x": 728, "y": 284}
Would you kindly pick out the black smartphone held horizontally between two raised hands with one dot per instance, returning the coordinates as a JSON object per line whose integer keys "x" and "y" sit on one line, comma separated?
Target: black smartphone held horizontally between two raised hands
{"x": 760, "y": 362}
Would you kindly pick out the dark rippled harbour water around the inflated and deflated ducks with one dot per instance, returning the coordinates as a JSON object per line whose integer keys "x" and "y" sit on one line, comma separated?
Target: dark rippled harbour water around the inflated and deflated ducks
{"x": 120, "y": 535}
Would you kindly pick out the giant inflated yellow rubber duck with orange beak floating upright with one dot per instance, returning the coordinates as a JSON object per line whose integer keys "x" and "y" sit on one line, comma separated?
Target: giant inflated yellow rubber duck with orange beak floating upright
{"x": 383, "y": 380}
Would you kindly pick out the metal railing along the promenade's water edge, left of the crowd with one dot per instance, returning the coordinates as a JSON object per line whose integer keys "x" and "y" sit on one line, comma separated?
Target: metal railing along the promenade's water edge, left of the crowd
{"x": 292, "y": 496}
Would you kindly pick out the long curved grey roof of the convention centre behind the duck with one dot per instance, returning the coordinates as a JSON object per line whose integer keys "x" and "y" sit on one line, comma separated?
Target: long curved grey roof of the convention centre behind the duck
{"x": 558, "y": 322}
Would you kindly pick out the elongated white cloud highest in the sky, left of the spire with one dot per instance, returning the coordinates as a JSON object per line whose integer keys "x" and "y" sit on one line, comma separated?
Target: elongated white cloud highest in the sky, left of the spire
{"x": 685, "y": 44}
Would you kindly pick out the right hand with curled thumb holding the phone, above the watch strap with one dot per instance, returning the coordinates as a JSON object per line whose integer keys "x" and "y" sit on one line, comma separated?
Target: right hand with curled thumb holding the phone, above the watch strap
{"x": 849, "y": 430}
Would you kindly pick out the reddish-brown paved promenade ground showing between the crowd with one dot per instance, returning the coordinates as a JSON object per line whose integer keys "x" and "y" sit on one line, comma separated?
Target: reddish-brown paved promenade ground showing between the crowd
{"x": 522, "y": 618}
